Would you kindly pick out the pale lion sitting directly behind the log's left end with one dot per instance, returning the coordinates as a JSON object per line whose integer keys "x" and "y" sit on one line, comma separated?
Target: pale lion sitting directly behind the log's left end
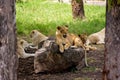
{"x": 37, "y": 37}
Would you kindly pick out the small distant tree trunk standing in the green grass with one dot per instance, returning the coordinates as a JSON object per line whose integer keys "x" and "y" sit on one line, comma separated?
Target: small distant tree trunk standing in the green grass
{"x": 77, "y": 9}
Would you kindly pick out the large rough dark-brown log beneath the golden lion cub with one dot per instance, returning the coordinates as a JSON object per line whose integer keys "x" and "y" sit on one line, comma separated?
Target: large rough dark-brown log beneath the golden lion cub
{"x": 50, "y": 59}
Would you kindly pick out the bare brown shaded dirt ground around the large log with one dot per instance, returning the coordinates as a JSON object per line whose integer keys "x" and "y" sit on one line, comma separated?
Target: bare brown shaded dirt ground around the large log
{"x": 93, "y": 72}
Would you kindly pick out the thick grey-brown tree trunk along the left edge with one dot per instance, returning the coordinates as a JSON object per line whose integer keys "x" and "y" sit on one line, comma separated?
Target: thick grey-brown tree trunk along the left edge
{"x": 8, "y": 58}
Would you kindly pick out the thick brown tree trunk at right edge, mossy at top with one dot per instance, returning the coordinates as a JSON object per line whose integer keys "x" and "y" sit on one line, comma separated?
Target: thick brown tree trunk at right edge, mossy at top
{"x": 112, "y": 46}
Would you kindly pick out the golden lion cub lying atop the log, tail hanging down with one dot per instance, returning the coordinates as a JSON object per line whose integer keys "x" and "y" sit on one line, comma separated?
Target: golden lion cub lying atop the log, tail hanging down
{"x": 65, "y": 40}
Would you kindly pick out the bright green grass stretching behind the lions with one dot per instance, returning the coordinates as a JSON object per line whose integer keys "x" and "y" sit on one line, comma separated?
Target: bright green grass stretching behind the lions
{"x": 45, "y": 16}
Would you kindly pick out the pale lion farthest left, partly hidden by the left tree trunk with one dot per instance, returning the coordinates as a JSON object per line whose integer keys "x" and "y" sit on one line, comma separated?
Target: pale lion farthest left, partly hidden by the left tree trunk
{"x": 21, "y": 44}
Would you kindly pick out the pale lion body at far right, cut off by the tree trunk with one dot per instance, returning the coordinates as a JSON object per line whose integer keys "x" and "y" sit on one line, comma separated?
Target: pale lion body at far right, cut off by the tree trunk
{"x": 97, "y": 38}
